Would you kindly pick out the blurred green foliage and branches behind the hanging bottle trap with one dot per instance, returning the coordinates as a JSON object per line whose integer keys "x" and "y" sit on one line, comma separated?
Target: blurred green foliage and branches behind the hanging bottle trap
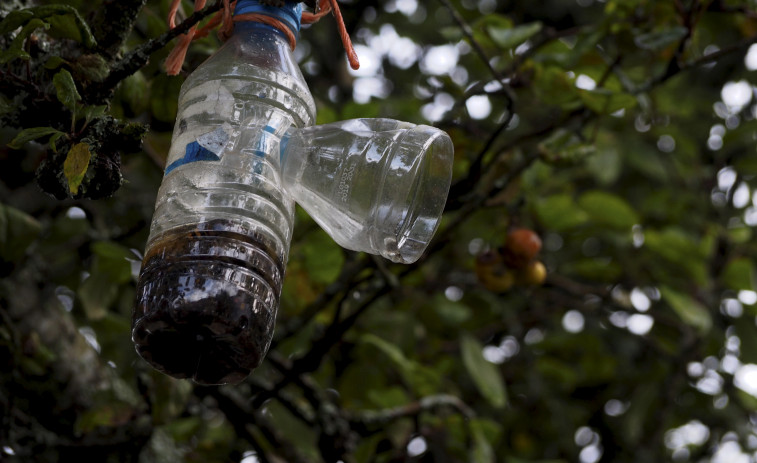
{"x": 622, "y": 132}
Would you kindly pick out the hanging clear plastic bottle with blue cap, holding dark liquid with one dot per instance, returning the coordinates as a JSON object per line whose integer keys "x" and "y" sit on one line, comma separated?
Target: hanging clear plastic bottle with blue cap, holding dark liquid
{"x": 211, "y": 277}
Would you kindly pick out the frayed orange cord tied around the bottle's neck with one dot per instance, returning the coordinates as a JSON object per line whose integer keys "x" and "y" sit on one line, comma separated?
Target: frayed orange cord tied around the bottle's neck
{"x": 224, "y": 17}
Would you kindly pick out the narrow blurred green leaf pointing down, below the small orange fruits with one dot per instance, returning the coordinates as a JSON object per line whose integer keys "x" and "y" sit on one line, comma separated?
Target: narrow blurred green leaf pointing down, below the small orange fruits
{"x": 485, "y": 375}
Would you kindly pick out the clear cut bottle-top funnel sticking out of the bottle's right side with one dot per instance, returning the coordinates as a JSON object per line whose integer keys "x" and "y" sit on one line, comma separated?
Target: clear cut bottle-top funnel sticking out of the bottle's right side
{"x": 374, "y": 185}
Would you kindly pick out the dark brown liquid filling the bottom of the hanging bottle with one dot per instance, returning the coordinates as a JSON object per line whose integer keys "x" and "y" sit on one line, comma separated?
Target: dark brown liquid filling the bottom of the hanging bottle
{"x": 207, "y": 298}
